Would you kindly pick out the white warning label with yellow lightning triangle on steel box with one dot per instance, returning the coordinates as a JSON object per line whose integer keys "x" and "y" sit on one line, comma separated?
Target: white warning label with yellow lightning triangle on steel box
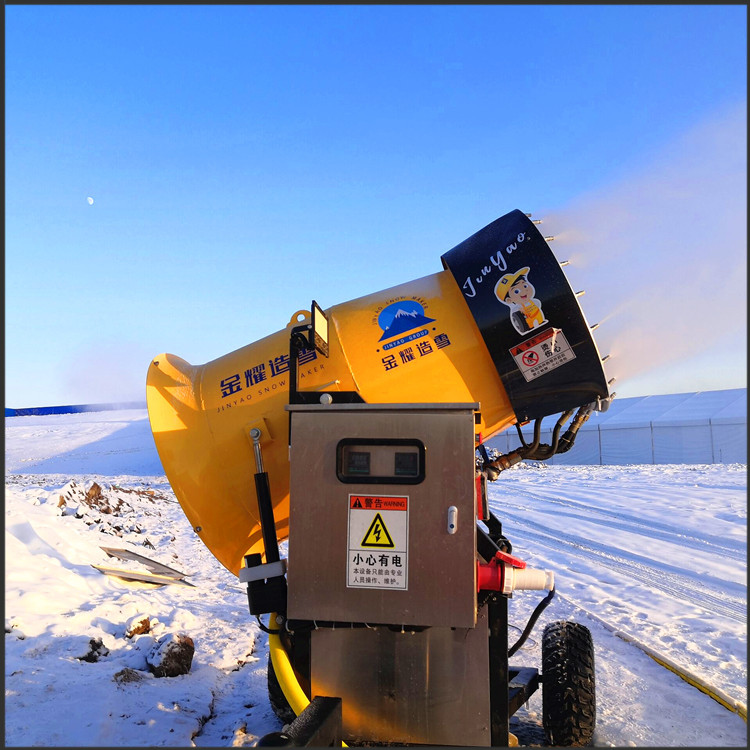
{"x": 378, "y": 542}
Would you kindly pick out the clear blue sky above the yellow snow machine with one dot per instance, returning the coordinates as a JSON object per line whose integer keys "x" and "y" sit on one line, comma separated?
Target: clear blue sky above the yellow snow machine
{"x": 244, "y": 160}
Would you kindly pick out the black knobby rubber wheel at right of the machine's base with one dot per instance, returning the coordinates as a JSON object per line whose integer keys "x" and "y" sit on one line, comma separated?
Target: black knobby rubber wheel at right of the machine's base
{"x": 568, "y": 684}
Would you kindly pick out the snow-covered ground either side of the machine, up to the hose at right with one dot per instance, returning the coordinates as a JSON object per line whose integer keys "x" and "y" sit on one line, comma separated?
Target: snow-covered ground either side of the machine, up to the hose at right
{"x": 656, "y": 553}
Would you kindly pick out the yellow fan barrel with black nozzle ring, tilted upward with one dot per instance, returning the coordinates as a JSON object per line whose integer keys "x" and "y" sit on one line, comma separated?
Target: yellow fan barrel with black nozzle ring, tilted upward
{"x": 455, "y": 336}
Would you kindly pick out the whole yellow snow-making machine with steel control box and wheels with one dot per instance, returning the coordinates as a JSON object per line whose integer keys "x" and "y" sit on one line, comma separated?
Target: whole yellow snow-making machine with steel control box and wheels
{"x": 359, "y": 434}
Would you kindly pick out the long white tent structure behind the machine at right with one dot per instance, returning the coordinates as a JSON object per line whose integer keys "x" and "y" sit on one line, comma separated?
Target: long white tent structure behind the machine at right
{"x": 705, "y": 427}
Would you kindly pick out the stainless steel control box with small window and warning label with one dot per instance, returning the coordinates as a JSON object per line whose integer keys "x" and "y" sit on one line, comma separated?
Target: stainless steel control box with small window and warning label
{"x": 383, "y": 514}
